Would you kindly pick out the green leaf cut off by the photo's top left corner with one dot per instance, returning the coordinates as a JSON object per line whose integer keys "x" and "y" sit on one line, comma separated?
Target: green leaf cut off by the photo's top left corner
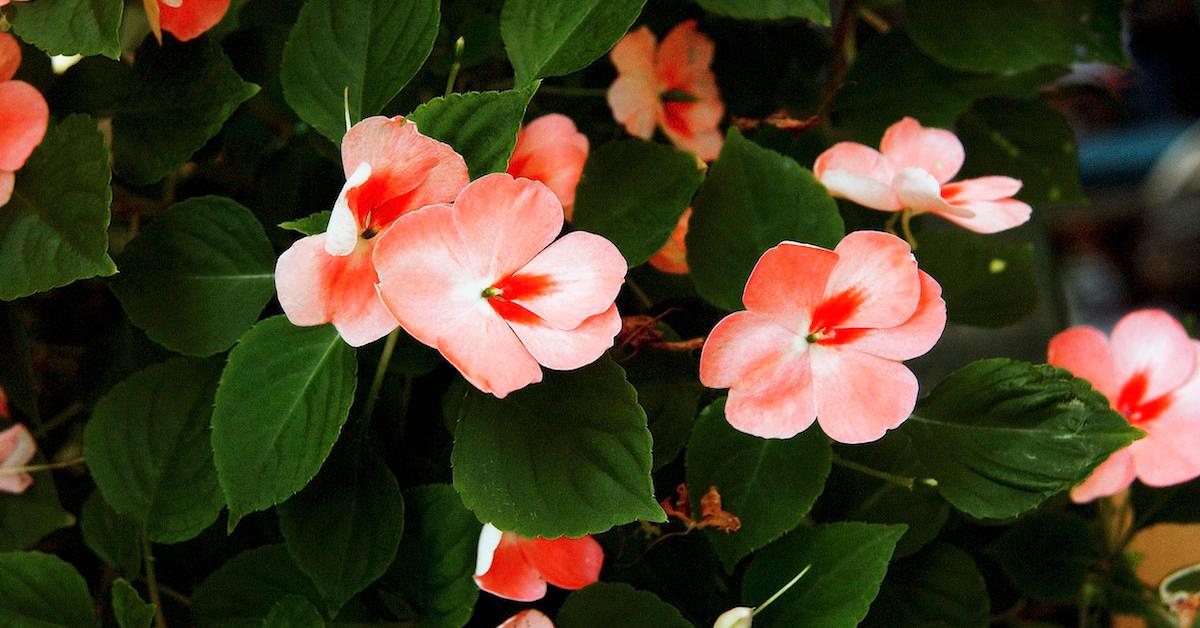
{"x": 70, "y": 27}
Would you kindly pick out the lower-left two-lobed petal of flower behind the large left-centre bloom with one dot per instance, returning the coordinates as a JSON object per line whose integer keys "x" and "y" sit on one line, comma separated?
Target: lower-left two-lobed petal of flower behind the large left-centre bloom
{"x": 316, "y": 288}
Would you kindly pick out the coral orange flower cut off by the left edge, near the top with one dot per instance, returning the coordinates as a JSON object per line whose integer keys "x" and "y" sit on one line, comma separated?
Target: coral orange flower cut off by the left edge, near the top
{"x": 25, "y": 117}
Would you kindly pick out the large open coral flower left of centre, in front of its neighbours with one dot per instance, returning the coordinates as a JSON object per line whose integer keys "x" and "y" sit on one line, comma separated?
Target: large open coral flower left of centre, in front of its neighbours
{"x": 483, "y": 284}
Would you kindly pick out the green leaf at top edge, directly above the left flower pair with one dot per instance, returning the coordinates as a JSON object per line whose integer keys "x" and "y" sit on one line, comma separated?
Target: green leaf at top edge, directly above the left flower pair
{"x": 365, "y": 51}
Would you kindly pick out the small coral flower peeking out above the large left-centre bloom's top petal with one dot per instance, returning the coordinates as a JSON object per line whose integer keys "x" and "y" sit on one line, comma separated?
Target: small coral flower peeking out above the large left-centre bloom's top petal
{"x": 553, "y": 152}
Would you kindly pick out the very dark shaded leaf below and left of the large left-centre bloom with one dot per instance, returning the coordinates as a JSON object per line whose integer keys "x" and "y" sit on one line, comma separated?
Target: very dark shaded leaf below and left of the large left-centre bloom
{"x": 344, "y": 529}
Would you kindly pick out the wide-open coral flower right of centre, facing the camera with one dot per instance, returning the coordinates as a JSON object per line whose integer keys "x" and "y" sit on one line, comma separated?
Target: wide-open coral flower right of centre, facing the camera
{"x": 824, "y": 337}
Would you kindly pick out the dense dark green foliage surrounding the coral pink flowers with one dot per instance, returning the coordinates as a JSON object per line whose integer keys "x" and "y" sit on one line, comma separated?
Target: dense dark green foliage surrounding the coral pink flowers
{"x": 250, "y": 468}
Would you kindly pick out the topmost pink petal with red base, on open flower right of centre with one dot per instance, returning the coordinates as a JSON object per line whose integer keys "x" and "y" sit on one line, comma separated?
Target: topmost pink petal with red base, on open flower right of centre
{"x": 879, "y": 273}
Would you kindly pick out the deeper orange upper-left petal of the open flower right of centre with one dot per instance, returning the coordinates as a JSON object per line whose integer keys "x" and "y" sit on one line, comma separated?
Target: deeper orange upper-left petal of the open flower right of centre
{"x": 788, "y": 284}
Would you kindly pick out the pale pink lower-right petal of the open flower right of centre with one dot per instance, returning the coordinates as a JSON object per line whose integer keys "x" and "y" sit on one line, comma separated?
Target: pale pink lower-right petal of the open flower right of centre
{"x": 861, "y": 397}
